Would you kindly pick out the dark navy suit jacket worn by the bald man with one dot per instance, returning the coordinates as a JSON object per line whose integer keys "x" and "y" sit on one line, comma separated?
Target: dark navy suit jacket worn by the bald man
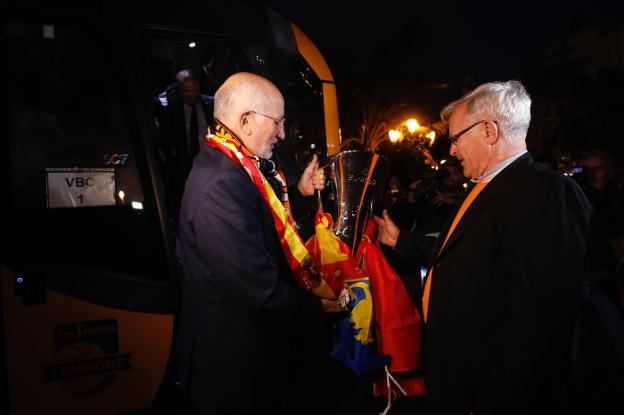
{"x": 240, "y": 308}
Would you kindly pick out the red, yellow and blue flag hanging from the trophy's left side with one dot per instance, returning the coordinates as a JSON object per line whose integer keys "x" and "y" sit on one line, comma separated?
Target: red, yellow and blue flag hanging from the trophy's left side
{"x": 354, "y": 344}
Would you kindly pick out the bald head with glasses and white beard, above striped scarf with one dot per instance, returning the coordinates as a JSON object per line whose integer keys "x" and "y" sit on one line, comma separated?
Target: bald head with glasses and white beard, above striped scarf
{"x": 252, "y": 107}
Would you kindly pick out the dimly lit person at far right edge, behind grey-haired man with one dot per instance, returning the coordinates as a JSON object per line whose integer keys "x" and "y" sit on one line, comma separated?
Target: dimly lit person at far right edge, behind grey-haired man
{"x": 599, "y": 350}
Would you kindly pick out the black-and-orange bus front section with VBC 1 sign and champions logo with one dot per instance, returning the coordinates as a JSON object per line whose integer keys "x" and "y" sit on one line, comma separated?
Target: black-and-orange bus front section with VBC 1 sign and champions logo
{"x": 85, "y": 270}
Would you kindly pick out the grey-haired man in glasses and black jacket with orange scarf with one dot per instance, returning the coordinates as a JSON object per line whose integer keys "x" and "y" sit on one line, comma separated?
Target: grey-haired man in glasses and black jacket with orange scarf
{"x": 501, "y": 295}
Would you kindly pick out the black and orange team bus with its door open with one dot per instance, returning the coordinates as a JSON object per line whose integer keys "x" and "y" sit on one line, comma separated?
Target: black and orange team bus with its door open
{"x": 89, "y": 272}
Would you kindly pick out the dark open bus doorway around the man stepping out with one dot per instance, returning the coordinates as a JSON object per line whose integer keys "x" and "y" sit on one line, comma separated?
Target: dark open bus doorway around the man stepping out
{"x": 211, "y": 57}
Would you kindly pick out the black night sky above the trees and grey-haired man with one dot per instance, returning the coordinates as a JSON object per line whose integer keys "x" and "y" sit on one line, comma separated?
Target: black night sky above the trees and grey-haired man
{"x": 491, "y": 39}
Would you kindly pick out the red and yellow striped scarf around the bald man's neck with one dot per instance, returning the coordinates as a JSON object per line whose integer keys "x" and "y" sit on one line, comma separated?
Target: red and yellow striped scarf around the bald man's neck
{"x": 306, "y": 272}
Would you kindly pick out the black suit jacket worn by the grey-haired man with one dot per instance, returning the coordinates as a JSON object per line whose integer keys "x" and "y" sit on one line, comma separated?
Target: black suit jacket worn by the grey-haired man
{"x": 504, "y": 296}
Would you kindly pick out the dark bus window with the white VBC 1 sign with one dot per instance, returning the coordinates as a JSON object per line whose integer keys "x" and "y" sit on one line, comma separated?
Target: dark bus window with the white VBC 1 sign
{"x": 77, "y": 193}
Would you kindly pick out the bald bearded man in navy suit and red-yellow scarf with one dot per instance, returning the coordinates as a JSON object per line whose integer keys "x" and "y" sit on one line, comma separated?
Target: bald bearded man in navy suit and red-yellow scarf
{"x": 240, "y": 305}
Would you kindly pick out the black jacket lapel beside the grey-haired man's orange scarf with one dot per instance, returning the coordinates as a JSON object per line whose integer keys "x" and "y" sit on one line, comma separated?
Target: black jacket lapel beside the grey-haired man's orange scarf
{"x": 480, "y": 204}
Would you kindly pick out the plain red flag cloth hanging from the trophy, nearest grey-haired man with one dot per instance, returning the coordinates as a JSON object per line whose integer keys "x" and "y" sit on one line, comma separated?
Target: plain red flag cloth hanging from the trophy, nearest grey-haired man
{"x": 397, "y": 320}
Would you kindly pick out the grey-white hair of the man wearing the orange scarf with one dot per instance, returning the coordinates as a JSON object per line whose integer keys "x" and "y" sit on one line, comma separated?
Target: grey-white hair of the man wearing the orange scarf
{"x": 507, "y": 103}
